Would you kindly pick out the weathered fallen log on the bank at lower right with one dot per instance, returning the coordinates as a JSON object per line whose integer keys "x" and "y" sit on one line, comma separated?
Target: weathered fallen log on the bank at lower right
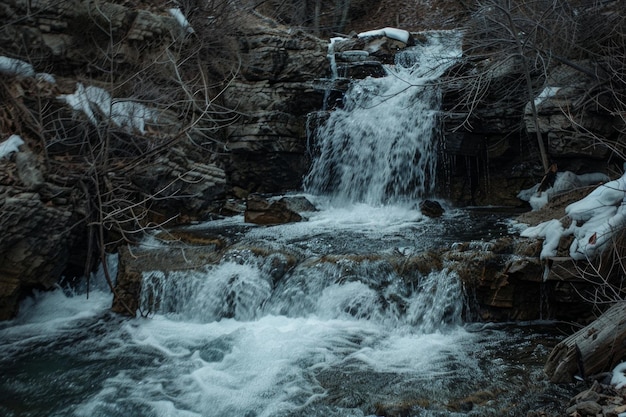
{"x": 591, "y": 350}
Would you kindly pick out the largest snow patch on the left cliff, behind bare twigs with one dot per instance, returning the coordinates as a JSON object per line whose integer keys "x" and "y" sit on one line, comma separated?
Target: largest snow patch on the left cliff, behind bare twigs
{"x": 96, "y": 103}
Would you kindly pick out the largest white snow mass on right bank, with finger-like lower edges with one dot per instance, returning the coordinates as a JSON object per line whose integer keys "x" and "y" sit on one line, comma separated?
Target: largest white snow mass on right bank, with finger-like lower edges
{"x": 595, "y": 221}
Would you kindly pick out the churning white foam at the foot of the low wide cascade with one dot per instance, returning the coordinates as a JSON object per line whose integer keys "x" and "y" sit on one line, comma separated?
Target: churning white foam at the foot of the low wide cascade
{"x": 262, "y": 368}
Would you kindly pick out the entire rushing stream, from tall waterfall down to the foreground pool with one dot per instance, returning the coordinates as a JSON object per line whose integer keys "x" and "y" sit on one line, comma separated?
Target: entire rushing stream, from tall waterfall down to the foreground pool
{"x": 320, "y": 318}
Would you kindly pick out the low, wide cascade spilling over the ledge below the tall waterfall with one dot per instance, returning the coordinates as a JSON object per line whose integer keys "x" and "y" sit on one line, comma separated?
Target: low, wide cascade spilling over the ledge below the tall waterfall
{"x": 331, "y": 288}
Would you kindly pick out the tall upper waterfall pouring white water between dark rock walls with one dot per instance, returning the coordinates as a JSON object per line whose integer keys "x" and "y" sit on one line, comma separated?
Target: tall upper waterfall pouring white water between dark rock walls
{"x": 381, "y": 146}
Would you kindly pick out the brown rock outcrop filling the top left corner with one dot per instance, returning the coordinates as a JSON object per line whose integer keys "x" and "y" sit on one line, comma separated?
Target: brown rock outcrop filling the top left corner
{"x": 56, "y": 36}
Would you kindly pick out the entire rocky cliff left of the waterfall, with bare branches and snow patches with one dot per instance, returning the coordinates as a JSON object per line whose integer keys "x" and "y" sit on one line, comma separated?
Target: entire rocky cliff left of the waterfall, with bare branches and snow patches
{"x": 173, "y": 152}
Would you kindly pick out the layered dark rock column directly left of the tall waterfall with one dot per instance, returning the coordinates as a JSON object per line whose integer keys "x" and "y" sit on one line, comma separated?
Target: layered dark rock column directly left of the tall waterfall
{"x": 273, "y": 95}
